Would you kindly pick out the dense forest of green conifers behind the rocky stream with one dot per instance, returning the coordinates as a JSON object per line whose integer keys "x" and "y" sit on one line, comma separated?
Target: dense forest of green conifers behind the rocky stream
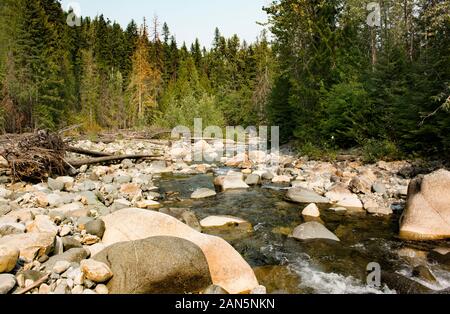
{"x": 335, "y": 74}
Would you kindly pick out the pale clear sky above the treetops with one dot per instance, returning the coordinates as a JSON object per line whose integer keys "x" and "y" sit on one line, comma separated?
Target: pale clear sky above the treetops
{"x": 187, "y": 19}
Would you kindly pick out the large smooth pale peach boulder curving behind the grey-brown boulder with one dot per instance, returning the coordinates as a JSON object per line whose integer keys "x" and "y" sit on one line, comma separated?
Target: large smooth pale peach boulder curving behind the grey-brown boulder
{"x": 227, "y": 267}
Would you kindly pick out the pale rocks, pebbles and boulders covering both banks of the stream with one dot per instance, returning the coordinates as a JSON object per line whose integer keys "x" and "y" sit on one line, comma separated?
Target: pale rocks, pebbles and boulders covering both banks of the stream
{"x": 110, "y": 229}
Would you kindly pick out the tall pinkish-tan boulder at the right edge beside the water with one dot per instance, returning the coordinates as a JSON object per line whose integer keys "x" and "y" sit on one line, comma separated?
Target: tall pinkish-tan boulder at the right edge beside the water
{"x": 427, "y": 213}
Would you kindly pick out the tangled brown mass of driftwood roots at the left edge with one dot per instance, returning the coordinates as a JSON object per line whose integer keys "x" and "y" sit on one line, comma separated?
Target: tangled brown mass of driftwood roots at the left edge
{"x": 35, "y": 156}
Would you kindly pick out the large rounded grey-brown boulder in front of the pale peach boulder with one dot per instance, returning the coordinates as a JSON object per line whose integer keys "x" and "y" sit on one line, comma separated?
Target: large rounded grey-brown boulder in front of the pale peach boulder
{"x": 142, "y": 267}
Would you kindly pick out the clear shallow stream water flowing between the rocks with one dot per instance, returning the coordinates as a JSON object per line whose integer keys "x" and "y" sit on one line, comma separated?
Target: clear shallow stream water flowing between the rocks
{"x": 286, "y": 265}
